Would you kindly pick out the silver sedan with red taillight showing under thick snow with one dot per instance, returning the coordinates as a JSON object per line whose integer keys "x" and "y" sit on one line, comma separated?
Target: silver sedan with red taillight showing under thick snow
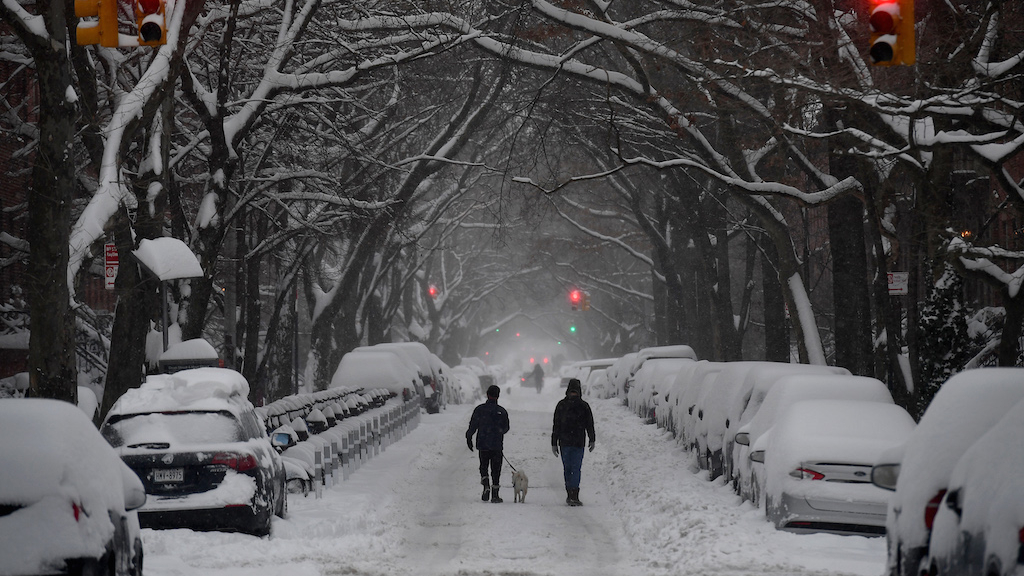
{"x": 818, "y": 466}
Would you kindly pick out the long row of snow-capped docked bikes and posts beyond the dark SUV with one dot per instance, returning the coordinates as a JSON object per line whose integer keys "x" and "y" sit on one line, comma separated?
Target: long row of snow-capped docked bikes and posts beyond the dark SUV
{"x": 351, "y": 439}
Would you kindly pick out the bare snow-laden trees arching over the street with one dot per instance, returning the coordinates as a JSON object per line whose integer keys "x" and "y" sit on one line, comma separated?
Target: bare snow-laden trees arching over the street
{"x": 735, "y": 175}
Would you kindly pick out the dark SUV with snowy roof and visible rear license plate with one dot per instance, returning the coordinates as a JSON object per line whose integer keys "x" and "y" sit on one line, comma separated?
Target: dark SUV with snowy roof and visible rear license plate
{"x": 200, "y": 449}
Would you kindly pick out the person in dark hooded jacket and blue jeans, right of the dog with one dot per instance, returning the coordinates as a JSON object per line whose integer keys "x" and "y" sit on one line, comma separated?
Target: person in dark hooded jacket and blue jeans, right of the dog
{"x": 574, "y": 424}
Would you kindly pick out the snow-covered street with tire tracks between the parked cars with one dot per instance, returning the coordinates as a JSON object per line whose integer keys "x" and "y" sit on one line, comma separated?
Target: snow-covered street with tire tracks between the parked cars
{"x": 416, "y": 510}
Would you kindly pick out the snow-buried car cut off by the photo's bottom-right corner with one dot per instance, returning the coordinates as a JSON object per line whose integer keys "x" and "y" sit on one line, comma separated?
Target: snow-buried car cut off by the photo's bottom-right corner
{"x": 979, "y": 528}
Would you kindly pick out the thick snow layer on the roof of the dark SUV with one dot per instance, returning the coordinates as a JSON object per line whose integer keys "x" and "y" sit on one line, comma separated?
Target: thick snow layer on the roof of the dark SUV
{"x": 199, "y": 389}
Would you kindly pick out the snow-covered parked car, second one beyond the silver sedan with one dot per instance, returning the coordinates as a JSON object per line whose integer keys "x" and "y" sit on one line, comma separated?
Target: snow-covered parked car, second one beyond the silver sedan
{"x": 756, "y": 386}
